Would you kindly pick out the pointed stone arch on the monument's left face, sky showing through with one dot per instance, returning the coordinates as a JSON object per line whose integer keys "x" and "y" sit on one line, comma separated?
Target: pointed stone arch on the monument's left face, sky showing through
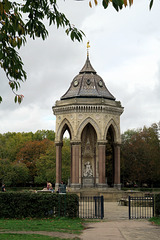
{"x": 65, "y": 125}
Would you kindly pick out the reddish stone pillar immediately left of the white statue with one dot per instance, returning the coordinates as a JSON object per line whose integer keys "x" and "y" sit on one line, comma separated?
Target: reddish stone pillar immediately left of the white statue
{"x": 75, "y": 165}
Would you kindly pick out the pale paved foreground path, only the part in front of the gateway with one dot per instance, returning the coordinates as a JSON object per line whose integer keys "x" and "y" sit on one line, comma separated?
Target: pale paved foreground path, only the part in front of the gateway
{"x": 122, "y": 230}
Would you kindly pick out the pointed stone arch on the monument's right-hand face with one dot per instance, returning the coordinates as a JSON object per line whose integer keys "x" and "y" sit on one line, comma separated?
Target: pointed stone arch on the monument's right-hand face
{"x": 114, "y": 128}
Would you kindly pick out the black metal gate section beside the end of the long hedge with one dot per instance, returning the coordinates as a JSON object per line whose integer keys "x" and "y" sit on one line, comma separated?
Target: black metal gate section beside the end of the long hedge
{"x": 91, "y": 207}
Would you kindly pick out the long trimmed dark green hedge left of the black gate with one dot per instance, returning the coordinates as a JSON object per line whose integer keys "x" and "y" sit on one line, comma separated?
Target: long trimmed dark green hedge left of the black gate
{"x": 37, "y": 205}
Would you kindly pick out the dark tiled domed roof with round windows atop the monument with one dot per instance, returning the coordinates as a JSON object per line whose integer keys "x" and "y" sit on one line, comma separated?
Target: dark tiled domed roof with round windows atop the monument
{"x": 87, "y": 84}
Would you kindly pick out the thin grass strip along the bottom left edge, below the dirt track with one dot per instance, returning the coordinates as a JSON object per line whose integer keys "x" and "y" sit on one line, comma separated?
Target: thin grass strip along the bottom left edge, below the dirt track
{"x": 9, "y": 236}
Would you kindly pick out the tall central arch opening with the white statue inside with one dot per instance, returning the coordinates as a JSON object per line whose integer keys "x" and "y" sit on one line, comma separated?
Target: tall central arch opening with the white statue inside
{"x": 88, "y": 156}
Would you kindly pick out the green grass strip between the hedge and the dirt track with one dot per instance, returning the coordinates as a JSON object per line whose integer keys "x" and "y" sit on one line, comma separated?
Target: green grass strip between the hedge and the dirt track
{"x": 53, "y": 225}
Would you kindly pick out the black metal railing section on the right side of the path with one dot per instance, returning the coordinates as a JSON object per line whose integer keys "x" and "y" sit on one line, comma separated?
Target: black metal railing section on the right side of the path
{"x": 141, "y": 207}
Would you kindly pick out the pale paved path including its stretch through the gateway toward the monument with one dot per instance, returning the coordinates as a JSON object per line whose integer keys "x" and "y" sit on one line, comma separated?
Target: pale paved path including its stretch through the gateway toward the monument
{"x": 118, "y": 227}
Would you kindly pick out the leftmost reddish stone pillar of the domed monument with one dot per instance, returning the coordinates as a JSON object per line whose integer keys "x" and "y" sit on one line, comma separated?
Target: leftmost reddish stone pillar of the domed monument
{"x": 58, "y": 164}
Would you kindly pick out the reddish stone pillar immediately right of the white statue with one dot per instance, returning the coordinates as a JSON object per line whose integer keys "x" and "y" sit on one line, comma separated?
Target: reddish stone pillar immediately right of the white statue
{"x": 102, "y": 164}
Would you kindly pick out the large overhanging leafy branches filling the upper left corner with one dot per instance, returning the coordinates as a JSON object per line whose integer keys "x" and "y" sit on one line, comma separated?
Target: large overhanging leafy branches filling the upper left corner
{"x": 19, "y": 20}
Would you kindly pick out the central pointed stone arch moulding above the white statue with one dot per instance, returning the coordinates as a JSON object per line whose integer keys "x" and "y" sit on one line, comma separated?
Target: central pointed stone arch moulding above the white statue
{"x": 94, "y": 125}
